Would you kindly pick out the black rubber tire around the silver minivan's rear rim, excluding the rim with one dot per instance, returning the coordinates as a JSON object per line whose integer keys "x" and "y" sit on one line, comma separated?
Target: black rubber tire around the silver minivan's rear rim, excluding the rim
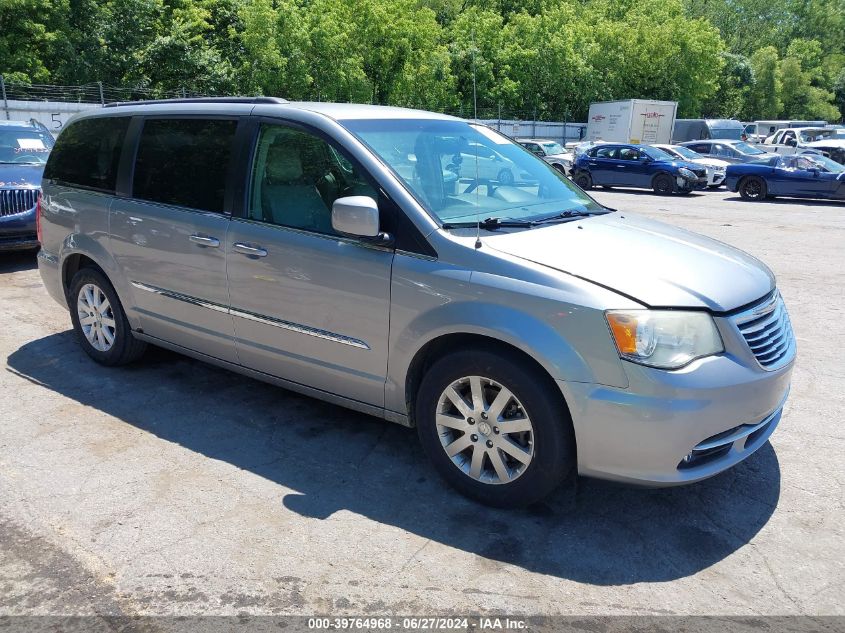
{"x": 125, "y": 348}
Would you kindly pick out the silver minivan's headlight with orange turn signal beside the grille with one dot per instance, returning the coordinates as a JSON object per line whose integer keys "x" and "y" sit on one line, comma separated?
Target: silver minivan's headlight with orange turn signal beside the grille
{"x": 668, "y": 339}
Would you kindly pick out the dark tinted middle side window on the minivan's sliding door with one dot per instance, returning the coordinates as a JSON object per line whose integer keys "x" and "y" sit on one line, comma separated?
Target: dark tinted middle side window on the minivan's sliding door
{"x": 184, "y": 162}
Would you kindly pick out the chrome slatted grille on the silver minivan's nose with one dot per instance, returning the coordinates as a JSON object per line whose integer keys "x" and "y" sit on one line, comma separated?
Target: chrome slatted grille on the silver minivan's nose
{"x": 768, "y": 332}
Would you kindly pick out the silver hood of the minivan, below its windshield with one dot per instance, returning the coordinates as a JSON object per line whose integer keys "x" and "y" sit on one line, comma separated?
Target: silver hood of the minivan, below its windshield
{"x": 656, "y": 264}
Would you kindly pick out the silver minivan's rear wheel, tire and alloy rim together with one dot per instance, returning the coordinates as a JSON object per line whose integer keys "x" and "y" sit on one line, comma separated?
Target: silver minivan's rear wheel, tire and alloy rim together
{"x": 99, "y": 321}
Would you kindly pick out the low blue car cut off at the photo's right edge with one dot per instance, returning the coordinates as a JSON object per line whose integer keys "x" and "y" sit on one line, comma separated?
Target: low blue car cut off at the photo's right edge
{"x": 802, "y": 176}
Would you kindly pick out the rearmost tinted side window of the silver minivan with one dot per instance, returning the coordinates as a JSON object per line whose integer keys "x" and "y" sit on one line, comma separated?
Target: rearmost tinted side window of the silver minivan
{"x": 87, "y": 154}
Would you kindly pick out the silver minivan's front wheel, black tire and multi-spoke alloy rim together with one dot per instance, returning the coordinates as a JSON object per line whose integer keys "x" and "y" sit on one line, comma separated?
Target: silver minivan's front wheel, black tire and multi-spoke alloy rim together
{"x": 493, "y": 428}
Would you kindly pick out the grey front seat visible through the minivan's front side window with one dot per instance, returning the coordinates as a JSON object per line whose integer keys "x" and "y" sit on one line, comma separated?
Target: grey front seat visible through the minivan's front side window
{"x": 288, "y": 196}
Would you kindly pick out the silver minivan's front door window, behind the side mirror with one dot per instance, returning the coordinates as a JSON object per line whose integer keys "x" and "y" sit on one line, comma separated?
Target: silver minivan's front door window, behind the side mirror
{"x": 297, "y": 176}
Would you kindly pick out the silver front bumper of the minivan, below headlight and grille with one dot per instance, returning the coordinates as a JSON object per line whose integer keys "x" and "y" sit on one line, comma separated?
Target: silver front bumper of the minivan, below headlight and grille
{"x": 669, "y": 428}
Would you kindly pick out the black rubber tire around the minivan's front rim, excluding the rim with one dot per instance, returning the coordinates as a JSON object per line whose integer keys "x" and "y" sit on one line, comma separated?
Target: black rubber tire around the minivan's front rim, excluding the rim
{"x": 553, "y": 438}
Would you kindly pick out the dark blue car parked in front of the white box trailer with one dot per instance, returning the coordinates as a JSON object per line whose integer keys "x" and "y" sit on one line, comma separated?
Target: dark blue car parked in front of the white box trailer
{"x": 612, "y": 165}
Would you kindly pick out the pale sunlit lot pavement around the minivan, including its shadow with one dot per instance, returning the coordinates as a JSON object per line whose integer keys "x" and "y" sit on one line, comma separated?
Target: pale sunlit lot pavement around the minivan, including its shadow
{"x": 172, "y": 487}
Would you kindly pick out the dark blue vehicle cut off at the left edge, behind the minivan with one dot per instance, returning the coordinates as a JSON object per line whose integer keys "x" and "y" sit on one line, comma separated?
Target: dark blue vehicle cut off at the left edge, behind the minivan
{"x": 24, "y": 147}
